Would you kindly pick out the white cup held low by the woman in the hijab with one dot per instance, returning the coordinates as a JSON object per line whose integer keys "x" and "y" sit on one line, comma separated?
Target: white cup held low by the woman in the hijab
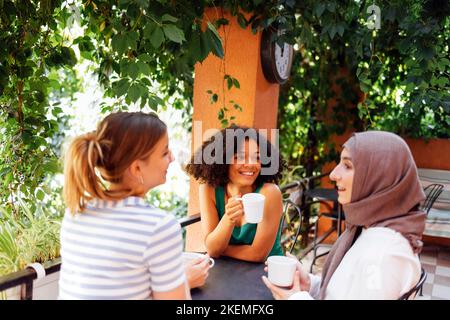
{"x": 281, "y": 270}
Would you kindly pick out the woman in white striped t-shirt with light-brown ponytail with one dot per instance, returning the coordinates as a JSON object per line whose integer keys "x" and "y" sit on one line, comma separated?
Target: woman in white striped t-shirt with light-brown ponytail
{"x": 113, "y": 244}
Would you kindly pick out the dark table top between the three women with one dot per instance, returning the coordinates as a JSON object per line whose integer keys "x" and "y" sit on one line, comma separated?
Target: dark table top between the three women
{"x": 232, "y": 279}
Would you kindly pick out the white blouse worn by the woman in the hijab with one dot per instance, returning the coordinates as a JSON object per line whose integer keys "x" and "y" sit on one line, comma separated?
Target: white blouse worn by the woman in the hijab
{"x": 380, "y": 265}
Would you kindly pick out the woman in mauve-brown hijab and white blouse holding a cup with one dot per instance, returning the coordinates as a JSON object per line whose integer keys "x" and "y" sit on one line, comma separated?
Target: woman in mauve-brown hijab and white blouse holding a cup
{"x": 377, "y": 255}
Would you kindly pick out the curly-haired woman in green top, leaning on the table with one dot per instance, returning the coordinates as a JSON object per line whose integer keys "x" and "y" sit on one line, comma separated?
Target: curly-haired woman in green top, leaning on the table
{"x": 238, "y": 169}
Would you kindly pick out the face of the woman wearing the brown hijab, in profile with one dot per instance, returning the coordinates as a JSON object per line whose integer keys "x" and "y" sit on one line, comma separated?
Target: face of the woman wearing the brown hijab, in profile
{"x": 343, "y": 175}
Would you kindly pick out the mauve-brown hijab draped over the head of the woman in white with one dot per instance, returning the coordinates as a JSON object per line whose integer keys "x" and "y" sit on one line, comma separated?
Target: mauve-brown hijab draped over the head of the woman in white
{"x": 386, "y": 193}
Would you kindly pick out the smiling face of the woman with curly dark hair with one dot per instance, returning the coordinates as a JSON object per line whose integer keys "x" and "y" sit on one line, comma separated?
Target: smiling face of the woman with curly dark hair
{"x": 246, "y": 165}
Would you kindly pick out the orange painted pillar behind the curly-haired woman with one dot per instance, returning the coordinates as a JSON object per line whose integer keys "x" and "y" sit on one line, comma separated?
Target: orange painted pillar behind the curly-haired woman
{"x": 257, "y": 97}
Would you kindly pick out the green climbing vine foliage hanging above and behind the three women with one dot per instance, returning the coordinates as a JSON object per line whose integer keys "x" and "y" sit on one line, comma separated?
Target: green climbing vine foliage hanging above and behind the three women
{"x": 144, "y": 52}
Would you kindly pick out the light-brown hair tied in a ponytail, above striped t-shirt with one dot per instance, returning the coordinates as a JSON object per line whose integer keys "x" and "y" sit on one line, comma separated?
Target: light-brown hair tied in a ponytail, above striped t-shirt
{"x": 103, "y": 156}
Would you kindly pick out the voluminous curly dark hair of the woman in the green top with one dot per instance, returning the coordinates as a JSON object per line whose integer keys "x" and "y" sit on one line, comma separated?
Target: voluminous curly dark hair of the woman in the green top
{"x": 216, "y": 174}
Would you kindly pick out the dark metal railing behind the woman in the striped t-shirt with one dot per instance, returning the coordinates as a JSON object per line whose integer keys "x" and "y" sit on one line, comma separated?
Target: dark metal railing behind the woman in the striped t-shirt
{"x": 25, "y": 278}
